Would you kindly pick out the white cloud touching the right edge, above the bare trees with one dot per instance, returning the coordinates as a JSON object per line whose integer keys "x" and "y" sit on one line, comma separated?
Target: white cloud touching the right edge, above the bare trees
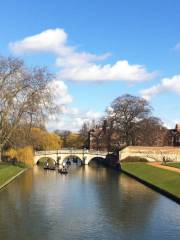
{"x": 166, "y": 84}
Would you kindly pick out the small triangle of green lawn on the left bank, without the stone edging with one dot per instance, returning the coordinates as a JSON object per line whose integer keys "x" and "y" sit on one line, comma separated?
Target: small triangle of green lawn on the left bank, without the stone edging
{"x": 7, "y": 171}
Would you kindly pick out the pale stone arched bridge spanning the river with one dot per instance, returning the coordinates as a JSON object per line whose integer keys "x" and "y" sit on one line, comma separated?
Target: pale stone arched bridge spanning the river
{"x": 59, "y": 156}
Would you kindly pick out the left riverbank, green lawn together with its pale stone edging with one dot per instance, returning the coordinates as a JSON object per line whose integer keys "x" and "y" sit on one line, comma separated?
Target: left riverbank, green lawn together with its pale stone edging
{"x": 8, "y": 173}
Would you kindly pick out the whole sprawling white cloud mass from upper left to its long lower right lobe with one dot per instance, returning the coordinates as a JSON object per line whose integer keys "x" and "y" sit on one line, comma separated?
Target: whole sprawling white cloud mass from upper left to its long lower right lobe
{"x": 80, "y": 66}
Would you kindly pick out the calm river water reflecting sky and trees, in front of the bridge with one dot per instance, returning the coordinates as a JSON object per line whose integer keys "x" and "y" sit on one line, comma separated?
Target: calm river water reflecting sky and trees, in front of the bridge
{"x": 88, "y": 203}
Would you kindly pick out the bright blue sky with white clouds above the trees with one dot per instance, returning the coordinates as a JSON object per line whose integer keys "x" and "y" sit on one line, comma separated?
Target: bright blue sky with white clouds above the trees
{"x": 144, "y": 33}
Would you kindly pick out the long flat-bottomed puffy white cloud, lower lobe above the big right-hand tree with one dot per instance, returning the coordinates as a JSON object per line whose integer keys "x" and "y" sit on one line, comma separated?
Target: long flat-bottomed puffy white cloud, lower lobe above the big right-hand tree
{"x": 121, "y": 70}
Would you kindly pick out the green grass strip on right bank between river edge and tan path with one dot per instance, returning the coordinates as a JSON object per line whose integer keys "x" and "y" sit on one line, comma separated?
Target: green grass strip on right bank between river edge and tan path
{"x": 164, "y": 179}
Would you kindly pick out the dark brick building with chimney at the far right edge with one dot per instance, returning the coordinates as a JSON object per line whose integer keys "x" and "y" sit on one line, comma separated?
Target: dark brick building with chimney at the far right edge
{"x": 174, "y": 136}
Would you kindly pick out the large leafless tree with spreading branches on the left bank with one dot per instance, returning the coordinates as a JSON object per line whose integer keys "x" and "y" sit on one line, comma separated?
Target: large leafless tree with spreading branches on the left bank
{"x": 24, "y": 96}
